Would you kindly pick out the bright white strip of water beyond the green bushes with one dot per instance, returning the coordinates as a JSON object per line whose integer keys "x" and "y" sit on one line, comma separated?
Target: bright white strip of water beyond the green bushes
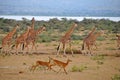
{"x": 46, "y": 18}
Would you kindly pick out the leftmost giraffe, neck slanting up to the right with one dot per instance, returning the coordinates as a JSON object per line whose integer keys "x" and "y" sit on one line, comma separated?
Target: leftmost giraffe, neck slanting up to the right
{"x": 6, "y": 41}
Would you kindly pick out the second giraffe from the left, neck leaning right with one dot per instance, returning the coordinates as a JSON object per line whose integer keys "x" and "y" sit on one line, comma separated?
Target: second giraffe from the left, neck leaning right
{"x": 21, "y": 39}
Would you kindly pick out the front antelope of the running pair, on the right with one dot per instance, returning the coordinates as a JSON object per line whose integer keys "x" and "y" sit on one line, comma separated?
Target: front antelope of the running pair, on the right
{"x": 60, "y": 64}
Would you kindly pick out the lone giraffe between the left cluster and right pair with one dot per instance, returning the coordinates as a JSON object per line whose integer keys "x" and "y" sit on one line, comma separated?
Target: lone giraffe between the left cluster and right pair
{"x": 66, "y": 39}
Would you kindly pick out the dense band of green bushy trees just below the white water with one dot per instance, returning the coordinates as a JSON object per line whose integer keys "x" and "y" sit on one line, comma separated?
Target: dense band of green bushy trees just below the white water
{"x": 62, "y": 25}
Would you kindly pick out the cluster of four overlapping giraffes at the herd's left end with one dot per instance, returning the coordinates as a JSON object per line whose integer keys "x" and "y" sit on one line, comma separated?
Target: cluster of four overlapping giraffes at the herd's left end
{"x": 29, "y": 36}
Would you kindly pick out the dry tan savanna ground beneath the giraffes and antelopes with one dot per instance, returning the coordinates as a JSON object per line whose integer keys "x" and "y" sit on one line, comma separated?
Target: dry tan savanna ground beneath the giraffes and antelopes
{"x": 103, "y": 66}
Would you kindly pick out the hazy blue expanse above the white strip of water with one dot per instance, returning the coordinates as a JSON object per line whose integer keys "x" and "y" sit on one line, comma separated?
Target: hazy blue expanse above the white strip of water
{"x": 56, "y": 6}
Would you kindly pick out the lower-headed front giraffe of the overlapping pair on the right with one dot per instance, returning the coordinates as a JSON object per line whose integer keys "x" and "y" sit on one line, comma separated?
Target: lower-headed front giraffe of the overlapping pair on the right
{"x": 90, "y": 41}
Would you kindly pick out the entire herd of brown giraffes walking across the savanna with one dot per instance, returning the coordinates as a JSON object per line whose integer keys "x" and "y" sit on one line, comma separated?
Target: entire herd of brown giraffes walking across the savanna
{"x": 30, "y": 36}
